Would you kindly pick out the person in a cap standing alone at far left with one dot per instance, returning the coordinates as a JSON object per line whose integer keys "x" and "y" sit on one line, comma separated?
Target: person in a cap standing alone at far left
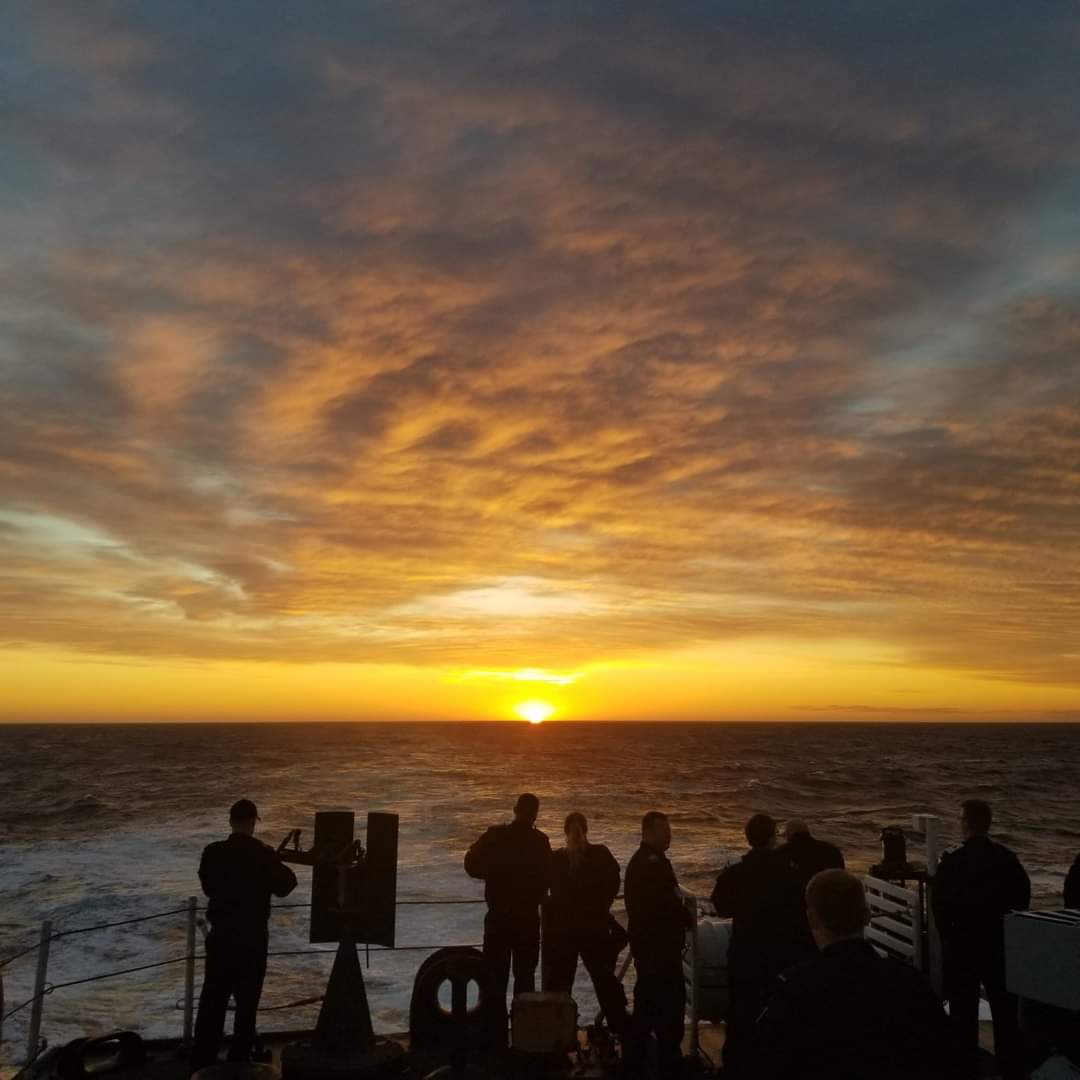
{"x": 239, "y": 876}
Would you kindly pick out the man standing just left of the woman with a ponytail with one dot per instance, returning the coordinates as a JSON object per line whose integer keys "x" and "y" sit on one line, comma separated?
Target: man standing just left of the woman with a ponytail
{"x": 515, "y": 863}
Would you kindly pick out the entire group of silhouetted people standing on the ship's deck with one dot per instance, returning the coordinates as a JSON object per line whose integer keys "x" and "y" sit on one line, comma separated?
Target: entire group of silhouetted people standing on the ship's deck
{"x": 809, "y": 996}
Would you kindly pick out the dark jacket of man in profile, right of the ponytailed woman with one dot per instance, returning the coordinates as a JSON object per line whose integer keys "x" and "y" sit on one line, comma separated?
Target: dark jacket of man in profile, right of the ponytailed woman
{"x": 657, "y": 917}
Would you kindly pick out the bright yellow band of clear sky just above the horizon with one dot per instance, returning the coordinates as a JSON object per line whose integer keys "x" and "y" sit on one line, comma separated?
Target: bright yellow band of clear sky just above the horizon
{"x": 752, "y": 681}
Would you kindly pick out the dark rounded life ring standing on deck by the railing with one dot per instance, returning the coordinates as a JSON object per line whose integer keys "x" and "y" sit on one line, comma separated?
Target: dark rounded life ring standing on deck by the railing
{"x": 480, "y": 1028}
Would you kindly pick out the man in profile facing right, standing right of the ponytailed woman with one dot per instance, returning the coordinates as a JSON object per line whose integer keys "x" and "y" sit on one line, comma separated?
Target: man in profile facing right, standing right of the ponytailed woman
{"x": 658, "y": 925}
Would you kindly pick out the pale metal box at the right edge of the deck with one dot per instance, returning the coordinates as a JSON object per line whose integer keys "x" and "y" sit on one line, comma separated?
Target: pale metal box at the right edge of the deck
{"x": 1043, "y": 957}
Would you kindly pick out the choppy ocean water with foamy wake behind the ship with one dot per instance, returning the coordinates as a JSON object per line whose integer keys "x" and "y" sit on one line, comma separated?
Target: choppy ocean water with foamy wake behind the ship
{"x": 106, "y": 823}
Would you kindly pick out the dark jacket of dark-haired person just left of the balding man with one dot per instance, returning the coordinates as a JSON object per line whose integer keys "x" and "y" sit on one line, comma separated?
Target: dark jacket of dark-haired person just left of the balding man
{"x": 762, "y": 897}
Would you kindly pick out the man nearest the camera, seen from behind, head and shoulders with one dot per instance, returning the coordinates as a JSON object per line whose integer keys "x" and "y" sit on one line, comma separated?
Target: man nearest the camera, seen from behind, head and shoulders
{"x": 849, "y": 1014}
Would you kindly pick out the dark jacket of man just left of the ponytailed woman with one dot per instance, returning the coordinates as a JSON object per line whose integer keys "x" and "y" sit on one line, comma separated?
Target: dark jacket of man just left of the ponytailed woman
{"x": 515, "y": 863}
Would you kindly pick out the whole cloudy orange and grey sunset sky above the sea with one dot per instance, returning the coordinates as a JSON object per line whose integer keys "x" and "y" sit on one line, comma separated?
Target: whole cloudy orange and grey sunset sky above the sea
{"x": 647, "y": 361}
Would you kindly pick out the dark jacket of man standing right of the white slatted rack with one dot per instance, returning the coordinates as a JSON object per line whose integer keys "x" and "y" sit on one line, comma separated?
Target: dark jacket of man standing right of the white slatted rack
{"x": 976, "y": 886}
